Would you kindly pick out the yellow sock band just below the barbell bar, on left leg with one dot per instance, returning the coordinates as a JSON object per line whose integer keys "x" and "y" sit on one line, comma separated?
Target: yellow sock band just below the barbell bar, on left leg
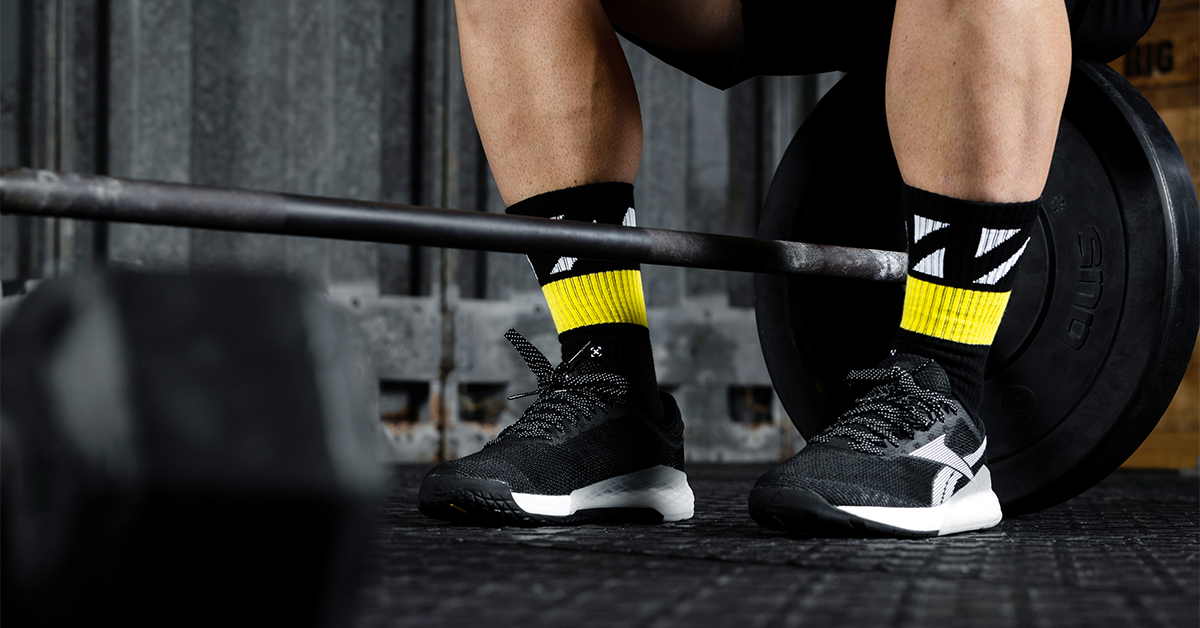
{"x": 610, "y": 297}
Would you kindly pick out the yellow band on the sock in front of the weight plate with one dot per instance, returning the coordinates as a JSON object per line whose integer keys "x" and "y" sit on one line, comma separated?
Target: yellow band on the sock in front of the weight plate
{"x": 958, "y": 315}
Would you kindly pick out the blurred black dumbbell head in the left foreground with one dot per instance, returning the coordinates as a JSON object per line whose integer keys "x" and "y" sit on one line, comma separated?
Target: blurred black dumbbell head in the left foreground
{"x": 183, "y": 450}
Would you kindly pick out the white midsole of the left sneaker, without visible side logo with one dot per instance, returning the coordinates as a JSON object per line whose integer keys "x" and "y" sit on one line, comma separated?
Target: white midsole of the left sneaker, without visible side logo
{"x": 661, "y": 488}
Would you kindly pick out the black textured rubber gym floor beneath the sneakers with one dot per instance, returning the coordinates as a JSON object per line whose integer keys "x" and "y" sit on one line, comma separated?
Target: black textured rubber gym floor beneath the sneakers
{"x": 1126, "y": 553}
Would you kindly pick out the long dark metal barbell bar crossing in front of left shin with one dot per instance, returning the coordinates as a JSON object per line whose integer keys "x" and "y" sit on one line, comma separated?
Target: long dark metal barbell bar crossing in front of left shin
{"x": 104, "y": 199}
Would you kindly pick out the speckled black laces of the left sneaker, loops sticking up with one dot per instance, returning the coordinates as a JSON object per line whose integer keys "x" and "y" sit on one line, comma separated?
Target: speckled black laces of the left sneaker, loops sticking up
{"x": 565, "y": 393}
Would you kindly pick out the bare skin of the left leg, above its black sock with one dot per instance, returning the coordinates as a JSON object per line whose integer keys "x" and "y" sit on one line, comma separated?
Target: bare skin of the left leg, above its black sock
{"x": 550, "y": 88}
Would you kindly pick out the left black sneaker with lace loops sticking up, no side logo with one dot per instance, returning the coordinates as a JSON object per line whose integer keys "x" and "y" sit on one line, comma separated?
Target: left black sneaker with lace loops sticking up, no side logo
{"x": 580, "y": 453}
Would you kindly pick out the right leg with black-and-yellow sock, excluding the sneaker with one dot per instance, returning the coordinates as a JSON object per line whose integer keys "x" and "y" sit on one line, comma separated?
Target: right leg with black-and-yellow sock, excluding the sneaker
{"x": 975, "y": 92}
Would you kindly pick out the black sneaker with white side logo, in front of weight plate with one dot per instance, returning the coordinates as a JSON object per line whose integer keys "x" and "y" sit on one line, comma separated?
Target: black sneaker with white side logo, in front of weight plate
{"x": 908, "y": 460}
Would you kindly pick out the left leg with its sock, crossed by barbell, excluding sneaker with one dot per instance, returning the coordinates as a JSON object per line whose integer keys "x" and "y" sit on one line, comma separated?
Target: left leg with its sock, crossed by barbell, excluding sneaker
{"x": 556, "y": 107}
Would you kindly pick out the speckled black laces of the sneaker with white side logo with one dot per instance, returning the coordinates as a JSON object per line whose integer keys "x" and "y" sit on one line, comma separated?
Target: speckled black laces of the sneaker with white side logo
{"x": 892, "y": 411}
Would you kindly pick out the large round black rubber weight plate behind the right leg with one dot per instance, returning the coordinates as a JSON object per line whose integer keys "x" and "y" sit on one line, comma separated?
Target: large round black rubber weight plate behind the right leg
{"x": 1103, "y": 315}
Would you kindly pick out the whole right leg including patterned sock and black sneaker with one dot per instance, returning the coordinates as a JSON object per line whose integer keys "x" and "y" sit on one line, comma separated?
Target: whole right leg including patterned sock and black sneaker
{"x": 975, "y": 92}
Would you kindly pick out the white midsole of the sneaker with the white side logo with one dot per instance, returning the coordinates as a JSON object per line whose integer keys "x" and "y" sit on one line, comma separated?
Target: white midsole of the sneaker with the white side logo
{"x": 975, "y": 507}
